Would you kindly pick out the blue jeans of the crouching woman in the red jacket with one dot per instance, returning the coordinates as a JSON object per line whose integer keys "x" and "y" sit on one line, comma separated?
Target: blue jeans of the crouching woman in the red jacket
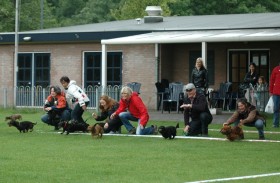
{"x": 126, "y": 116}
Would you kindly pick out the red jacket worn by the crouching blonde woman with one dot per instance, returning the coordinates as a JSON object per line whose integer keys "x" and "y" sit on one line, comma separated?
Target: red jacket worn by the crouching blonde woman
{"x": 136, "y": 107}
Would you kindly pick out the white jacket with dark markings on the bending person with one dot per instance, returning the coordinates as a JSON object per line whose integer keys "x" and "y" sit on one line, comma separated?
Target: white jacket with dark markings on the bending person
{"x": 76, "y": 93}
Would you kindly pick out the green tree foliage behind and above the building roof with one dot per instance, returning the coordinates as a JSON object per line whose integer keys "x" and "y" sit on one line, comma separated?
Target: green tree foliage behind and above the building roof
{"x": 58, "y": 13}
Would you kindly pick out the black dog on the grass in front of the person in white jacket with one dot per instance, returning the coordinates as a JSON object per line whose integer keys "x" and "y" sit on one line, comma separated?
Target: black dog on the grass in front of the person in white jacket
{"x": 72, "y": 126}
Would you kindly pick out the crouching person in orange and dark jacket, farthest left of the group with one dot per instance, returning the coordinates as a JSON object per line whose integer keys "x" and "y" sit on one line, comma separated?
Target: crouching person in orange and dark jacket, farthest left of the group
{"x": 56, "y": 108}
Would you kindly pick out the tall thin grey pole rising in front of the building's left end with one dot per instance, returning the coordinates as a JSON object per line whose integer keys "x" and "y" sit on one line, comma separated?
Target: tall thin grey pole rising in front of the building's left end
{"x": 16, "y": 52}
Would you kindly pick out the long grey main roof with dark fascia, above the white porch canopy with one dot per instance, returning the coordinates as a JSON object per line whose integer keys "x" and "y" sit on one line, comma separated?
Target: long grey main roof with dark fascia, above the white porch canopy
{"x": 117, "y": 29}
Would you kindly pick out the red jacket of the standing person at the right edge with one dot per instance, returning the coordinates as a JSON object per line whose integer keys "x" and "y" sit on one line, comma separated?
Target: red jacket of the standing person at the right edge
{"x": 274, "y": 86}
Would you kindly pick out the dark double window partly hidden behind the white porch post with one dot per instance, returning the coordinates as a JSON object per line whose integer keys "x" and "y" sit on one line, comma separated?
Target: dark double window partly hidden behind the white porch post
{"x": 93, "y": 68}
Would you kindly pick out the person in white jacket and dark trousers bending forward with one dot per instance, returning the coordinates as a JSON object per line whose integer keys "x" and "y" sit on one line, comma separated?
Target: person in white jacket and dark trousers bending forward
{"x": 78, "y": 97}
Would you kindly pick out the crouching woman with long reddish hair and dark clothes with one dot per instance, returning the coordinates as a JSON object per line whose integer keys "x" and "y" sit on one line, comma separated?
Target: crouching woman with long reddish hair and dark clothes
{"x": 108, "y": 106}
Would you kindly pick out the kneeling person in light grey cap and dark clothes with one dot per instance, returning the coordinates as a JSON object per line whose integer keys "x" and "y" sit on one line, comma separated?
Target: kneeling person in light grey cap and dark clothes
{"x": 196, "y": 108}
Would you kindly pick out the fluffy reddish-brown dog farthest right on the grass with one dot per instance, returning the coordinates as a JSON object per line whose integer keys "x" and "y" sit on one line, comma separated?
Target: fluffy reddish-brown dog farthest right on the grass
{"x": 232, "y": 133}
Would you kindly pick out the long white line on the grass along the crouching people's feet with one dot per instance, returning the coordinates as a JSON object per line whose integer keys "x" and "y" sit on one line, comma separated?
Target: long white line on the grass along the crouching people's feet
{"x": 159, "y": 136}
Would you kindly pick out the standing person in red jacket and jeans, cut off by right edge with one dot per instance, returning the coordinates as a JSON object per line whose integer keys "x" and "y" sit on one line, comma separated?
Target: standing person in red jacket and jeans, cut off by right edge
{"x": 274, "y": 90}
